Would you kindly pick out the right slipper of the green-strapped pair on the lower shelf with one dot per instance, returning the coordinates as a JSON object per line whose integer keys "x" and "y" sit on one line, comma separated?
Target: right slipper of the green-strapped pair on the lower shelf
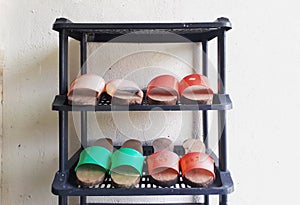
{"x": 127, "y": 164}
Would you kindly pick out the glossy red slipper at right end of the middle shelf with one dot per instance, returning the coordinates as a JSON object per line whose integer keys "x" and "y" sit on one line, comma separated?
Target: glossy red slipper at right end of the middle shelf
{"x": 195, "y": 88}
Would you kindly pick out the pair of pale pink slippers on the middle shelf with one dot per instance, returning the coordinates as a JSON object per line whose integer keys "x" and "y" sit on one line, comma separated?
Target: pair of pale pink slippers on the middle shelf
{"x": 86, "y": 90}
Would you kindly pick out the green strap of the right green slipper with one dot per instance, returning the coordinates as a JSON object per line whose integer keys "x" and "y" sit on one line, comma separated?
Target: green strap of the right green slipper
{"x": 127, "y": 157}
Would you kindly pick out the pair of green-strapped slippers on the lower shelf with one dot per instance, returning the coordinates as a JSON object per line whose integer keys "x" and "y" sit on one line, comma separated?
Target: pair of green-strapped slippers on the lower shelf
{"x": 124, "y": 165}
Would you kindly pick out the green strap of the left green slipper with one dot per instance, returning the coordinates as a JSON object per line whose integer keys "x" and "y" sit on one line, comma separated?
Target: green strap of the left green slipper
{"x": 95, "y": 155}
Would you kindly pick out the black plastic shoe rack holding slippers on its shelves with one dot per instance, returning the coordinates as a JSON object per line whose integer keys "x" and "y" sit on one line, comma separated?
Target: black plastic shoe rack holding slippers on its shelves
{"x": 64, "y": 183}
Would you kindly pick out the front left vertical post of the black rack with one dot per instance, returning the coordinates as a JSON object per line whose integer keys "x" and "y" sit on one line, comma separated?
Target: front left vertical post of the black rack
{"x": 63, "y": 115}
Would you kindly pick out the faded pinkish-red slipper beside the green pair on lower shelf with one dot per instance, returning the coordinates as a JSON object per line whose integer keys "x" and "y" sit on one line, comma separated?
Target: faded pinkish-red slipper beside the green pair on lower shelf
{"x": 163, "y": 166}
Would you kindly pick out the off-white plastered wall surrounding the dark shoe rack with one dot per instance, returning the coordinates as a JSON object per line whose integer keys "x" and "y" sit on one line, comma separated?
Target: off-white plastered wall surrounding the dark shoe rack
{"x": 262, "y": 62}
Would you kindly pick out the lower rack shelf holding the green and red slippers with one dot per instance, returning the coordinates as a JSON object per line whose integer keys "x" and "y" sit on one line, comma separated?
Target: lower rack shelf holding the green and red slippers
{"x": 65, "y": 184}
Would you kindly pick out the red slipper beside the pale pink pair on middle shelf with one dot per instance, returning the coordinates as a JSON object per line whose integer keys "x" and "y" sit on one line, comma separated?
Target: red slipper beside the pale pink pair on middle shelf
{"x": 163, "y": 90}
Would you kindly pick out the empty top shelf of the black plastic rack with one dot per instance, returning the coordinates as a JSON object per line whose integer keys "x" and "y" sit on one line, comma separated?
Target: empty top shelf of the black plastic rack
{"x": 143, "y": 32}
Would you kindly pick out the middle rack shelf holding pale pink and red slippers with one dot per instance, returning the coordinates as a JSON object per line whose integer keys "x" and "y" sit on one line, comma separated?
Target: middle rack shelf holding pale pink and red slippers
{"x": 220, "y": 102}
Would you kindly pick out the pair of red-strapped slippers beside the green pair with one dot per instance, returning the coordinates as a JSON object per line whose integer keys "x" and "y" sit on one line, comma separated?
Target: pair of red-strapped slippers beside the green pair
{"x": 197, "y": 168}
